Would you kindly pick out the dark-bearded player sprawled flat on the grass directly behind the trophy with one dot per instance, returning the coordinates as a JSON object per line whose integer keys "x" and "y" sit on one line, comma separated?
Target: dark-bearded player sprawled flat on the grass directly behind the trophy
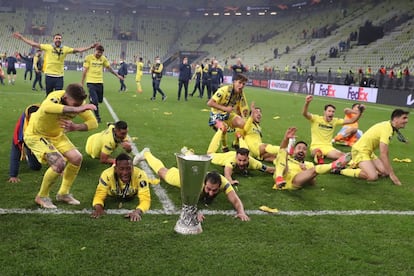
{"x": 214, "y": 183}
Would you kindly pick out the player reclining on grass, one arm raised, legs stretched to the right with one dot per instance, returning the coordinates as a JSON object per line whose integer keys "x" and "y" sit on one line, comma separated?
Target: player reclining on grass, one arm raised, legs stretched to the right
{"x": 293, "y": 172}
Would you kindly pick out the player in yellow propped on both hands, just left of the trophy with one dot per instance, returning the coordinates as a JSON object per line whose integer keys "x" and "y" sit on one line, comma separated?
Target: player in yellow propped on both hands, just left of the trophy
{"x": 123, "y": 181}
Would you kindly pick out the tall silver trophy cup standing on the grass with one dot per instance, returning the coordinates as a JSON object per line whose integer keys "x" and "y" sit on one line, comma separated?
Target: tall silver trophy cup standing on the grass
{"x": 193, "y": 169}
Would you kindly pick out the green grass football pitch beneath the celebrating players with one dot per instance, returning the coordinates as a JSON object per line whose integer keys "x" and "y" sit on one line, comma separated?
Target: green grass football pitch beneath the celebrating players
{"x": 342, "y": 226}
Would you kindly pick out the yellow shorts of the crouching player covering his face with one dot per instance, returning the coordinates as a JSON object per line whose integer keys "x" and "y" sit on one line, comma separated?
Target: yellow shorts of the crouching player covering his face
{"x": 40, "y": 146}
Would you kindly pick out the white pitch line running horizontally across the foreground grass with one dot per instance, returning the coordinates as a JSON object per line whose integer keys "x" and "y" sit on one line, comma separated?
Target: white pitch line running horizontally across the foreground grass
{"x": 212, "y": 212}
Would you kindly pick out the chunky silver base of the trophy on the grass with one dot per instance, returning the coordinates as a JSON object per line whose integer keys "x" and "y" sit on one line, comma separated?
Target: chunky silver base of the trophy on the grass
{"x": 188, "y": 223}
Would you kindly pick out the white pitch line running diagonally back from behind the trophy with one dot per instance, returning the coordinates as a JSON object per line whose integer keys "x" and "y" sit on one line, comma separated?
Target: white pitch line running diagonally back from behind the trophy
{"x": 166, "y": 202}
